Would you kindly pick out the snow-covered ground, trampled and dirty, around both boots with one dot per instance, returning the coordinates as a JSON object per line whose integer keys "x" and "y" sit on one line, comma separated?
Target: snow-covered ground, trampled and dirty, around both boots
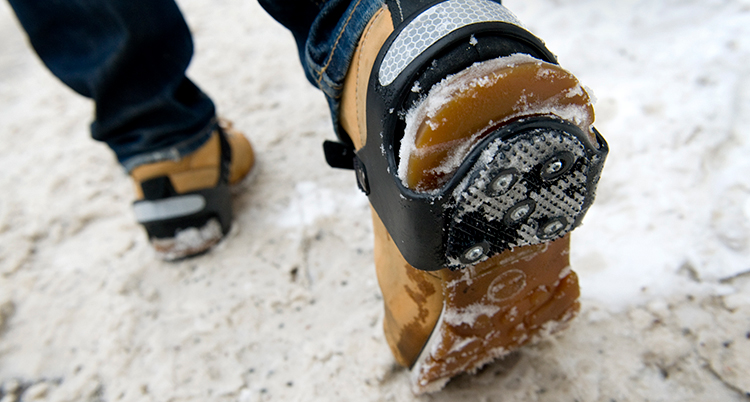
{"x": 288, "y": 308}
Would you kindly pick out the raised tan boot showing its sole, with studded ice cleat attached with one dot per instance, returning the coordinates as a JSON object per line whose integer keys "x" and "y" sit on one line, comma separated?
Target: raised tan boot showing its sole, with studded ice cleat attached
{"x": 505, "y": 141}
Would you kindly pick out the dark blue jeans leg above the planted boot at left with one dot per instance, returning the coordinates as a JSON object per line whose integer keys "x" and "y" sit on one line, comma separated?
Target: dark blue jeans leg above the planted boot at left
{"x": 130, "y": 57}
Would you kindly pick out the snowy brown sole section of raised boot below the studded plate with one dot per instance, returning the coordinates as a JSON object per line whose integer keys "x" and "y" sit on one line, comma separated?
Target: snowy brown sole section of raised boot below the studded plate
{"x": 495, "y": 307}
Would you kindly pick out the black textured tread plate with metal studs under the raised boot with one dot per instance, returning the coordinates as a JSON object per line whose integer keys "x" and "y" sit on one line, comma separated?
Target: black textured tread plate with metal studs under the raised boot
{"x": 552, "y": 177}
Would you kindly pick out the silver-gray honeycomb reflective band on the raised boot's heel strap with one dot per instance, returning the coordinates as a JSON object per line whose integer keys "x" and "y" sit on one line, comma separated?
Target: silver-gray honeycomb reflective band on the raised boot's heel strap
{"x": 433, "y": 24}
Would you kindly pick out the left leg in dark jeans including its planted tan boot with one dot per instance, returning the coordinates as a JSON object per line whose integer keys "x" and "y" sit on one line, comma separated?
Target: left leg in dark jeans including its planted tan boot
{"x": 130, "y": 57}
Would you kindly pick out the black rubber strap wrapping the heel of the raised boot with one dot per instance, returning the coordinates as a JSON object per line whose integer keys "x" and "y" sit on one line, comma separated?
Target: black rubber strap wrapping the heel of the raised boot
{"x": 416, "y": 221}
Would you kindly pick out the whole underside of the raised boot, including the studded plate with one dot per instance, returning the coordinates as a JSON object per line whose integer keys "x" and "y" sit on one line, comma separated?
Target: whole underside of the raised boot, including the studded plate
{"x": 527, "y": 185}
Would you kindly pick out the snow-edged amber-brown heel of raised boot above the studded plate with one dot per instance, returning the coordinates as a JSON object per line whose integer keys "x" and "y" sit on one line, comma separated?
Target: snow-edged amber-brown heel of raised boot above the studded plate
{"x": 496, "y": 97}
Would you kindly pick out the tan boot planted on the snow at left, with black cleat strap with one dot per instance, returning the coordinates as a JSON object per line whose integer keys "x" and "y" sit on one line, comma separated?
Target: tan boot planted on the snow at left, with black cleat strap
{"x": 185, "y": 205}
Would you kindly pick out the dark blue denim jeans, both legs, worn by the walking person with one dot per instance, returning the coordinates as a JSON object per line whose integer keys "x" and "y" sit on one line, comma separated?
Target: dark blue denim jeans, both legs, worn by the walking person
{"x": 130, "y": 57}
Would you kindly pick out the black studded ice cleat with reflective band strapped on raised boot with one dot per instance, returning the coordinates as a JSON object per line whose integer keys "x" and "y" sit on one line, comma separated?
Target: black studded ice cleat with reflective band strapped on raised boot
{"x": 527, "y": 182}
